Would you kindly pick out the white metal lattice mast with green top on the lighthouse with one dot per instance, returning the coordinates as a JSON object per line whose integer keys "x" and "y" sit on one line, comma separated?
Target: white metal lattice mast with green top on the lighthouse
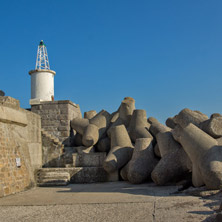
{"x": 42, "y": 60}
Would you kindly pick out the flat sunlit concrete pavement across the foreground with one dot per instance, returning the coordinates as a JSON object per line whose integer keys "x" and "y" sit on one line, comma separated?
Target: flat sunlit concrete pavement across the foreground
{"x": 119, "y": 201}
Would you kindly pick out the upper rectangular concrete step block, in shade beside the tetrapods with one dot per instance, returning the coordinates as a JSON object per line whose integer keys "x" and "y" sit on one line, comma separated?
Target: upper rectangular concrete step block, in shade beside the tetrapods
{"x": 88, "y": 159}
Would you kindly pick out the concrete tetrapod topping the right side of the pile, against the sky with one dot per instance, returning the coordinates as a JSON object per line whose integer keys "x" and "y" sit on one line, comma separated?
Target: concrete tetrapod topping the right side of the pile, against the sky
{"x": 187, "y": 116}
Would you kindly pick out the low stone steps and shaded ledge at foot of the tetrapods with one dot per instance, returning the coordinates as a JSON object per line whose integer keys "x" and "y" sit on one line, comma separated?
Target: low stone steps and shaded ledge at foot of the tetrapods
{"x": 83, "y": 168}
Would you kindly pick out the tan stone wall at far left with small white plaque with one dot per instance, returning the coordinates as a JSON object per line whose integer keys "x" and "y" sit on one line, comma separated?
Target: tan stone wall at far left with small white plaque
{"x": 20, "y": 147}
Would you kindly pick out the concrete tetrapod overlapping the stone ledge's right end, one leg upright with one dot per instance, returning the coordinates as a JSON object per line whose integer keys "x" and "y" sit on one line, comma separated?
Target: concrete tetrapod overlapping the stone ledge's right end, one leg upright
{"x": 121, "y": 149}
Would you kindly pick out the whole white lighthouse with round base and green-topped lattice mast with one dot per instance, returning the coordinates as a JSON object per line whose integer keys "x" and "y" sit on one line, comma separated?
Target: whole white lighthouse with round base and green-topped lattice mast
{"x": 42, "y": 78}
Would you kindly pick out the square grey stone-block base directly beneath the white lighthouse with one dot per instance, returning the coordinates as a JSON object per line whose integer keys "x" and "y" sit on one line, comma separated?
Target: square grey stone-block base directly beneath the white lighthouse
{"x": 56, "y": 116}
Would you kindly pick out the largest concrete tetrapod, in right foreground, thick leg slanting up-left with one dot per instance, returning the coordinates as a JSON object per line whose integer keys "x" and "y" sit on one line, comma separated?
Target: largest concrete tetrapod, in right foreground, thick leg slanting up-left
{"x": 205, "y": 154}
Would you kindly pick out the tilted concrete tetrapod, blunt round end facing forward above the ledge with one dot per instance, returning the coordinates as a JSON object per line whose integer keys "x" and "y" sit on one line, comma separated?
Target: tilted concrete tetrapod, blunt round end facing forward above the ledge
{"x": 96, "y": 128}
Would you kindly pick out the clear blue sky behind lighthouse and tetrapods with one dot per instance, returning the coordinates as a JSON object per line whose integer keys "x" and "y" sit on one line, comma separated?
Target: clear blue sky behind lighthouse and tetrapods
{"x": 167, "y": 55}
